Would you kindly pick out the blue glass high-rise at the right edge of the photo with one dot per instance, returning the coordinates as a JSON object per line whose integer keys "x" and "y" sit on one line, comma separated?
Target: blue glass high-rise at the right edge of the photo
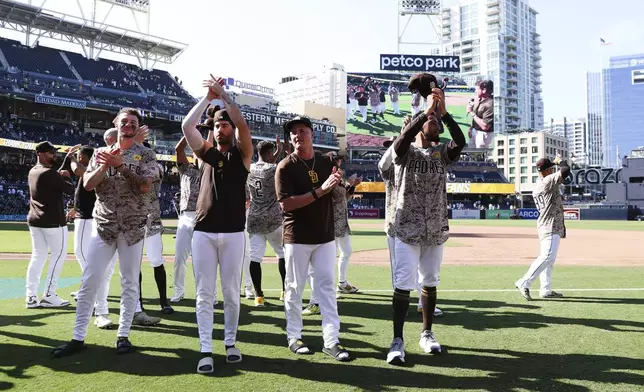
{"x": 615, "y": 103}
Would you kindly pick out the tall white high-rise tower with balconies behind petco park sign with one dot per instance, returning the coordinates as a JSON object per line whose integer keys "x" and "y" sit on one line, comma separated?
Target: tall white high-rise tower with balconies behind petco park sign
{"x": 499, "y": 39}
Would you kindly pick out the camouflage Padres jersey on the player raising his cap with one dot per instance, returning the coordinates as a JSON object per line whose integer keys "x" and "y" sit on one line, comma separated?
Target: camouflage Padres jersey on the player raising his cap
{"x": 420, "y": 216}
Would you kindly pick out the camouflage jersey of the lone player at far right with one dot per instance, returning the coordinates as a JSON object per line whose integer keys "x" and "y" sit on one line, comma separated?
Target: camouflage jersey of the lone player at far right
{"x": 548, "y": 200}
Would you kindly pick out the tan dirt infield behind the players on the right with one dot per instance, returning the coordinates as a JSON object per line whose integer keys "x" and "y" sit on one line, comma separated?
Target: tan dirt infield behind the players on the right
{"x": 519, "y": 245}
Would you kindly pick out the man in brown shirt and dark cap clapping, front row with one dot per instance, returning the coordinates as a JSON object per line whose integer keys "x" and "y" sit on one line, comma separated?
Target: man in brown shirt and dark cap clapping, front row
{"x": 303, "y": 182}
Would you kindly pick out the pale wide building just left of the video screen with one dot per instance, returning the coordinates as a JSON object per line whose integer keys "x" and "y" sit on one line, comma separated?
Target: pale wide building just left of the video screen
{"x": 326, "y": 87}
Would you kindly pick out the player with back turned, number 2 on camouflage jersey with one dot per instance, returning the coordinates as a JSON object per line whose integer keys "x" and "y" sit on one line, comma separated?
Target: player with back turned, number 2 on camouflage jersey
{"x": 264, "y": 216}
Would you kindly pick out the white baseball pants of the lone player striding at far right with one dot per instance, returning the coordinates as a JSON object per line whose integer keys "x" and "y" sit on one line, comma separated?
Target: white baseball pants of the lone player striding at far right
{"x": 542, "y": 266}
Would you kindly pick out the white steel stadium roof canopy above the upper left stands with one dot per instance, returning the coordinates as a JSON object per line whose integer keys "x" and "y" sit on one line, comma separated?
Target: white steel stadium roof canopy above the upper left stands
{"x": 39, "y": 22}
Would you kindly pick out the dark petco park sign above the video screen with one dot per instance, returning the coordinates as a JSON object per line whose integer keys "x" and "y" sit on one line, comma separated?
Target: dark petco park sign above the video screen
{"x": 422, "y": 63}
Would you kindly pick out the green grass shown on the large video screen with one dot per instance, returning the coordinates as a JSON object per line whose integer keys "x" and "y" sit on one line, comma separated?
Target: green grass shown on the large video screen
{"x": 393, "y": 122}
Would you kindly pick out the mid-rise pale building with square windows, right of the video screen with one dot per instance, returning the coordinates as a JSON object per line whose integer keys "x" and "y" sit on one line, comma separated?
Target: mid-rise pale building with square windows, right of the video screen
{"x": 517, "y": 155}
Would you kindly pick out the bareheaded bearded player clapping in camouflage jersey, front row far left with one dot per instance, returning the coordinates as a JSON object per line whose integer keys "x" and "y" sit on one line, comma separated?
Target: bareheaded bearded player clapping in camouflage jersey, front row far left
{"x": 121, "y": 175}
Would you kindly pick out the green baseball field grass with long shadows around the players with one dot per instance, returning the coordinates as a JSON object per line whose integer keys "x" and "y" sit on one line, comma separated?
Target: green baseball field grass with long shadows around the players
{"x": 590, "y": 340}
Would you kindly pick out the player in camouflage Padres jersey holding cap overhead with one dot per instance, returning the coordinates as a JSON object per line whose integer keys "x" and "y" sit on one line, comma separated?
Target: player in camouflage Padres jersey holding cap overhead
{"x": 420, "y": 225}
